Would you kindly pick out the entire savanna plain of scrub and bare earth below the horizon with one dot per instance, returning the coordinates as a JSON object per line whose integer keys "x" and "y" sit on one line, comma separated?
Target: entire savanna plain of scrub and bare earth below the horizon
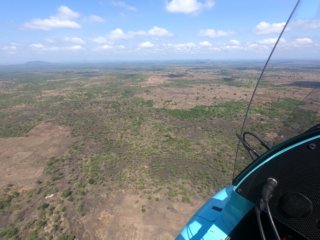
{"x": 132, "y": 150}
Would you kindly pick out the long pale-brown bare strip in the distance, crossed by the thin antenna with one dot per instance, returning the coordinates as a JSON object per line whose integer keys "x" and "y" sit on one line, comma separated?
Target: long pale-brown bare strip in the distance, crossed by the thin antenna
{"x": 185, "y": 98}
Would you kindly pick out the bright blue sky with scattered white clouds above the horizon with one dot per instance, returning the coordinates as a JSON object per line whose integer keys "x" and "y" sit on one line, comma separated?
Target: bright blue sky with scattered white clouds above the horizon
{"x": 128, "y": 30}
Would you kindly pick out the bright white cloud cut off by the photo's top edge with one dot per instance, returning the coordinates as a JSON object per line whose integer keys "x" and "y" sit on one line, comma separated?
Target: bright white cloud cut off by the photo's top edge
{"x": 188, "y": 6}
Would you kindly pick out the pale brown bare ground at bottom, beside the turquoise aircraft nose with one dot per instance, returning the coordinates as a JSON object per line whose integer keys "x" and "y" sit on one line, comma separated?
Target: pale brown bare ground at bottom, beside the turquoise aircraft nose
{"x": 121, "y": 217}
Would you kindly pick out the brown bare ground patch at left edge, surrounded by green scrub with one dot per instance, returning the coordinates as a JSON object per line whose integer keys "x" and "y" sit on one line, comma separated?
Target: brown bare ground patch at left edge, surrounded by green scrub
{"x": 23, "y": 159}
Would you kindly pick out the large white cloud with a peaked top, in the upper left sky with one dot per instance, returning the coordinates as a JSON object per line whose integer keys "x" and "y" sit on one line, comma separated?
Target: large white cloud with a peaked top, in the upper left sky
{"x": 63, "y": 19}
